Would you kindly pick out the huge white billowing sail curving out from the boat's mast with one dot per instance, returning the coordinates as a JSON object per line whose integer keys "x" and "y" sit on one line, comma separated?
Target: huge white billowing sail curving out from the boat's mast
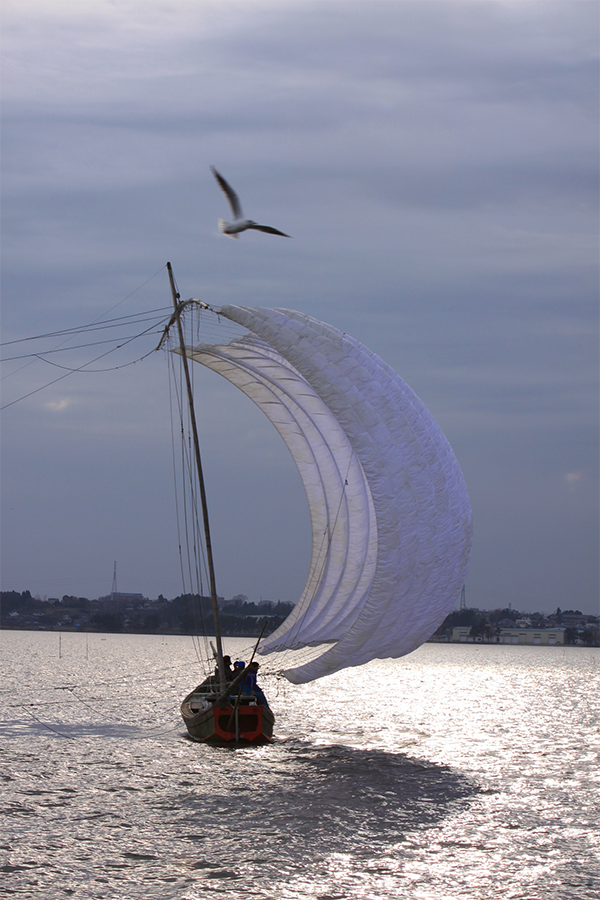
{"x": 390, "y": 514}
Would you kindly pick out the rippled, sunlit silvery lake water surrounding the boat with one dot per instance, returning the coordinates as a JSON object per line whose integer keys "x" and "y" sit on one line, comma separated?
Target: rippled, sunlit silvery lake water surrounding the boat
{"x": 457, "y": 772}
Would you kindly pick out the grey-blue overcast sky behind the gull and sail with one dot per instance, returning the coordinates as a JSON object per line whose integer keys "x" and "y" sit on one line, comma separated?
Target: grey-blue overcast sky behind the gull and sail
{"x": 437, "y": 163}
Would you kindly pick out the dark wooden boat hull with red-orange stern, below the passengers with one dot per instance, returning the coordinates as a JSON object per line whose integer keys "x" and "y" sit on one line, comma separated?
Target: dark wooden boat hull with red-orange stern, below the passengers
{"x": 249, "y": 724}
